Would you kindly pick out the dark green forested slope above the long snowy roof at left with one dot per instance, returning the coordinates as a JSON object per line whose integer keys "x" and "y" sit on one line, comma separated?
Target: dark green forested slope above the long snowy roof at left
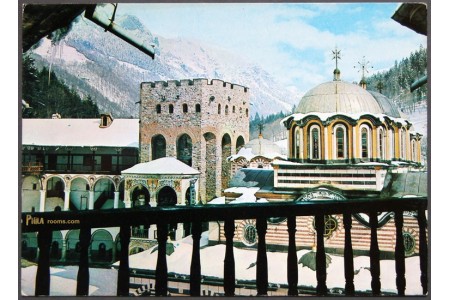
{"x": 44, "y": 95}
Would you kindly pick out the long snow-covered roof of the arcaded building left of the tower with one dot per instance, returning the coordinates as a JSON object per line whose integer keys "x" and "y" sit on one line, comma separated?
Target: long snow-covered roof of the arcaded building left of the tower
{"x": 80, "y": 133}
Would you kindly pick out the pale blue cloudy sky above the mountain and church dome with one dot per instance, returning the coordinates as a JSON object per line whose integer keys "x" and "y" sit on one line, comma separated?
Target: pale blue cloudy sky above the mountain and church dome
{"x": 292, "y": 41}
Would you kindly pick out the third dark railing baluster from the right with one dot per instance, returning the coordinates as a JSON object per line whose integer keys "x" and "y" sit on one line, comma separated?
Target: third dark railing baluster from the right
{"x": 374, "y": 255}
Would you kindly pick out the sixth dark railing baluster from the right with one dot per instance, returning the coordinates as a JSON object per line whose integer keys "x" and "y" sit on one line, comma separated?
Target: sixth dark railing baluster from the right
{"x": 292, "y": 266}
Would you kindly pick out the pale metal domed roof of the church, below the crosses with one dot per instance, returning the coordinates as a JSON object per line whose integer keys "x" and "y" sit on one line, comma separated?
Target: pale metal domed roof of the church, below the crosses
{"x": 344, "y": 97}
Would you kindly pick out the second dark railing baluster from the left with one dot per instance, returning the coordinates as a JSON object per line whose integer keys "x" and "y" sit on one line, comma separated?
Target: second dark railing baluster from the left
{"x": 83, "y": 268}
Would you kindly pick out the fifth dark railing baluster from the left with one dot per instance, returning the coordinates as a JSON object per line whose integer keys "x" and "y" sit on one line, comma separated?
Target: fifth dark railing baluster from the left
{"x": 195, "y": 278}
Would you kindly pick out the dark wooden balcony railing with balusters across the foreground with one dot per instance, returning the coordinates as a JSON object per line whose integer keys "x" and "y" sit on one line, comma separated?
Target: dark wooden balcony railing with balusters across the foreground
{"x": 45, "y": 223}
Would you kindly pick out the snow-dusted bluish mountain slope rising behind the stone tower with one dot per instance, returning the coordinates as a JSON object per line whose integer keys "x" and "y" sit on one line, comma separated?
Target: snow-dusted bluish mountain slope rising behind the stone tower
{"x": 100, "y": 64}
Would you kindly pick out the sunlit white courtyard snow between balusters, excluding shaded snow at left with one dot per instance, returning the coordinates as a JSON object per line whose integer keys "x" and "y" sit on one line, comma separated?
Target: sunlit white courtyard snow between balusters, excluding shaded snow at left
{"x": 212, "y": 266}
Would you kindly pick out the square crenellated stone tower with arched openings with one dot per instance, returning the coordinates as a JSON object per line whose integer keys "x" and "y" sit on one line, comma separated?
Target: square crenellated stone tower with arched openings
{"x": 200, "y": 122}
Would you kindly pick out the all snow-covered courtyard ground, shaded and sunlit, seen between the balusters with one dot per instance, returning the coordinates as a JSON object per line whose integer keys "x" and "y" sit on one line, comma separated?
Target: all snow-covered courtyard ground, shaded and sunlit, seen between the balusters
{"x": 103, "y": 281}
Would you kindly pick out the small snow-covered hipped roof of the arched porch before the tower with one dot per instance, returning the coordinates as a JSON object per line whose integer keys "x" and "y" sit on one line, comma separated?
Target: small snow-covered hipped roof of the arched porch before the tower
{"x": 162, "y": 166}
